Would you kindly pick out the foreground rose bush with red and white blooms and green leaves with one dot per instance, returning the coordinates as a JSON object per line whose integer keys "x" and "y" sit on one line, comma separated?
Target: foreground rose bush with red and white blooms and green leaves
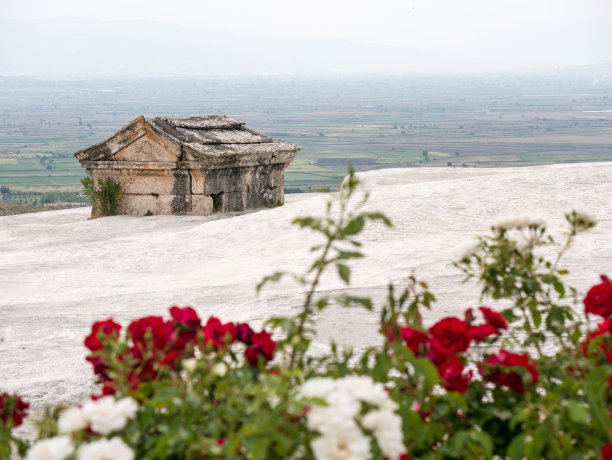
{"x": 530, "y": 379}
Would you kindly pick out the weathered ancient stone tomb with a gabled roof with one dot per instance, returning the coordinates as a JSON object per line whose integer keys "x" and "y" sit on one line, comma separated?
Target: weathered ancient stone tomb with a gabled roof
{"x": 197, "y": 165}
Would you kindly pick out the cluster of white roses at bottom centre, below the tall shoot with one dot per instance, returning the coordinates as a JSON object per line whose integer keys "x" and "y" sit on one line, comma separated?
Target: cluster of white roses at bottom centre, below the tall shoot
{"x": 339, "y": 420}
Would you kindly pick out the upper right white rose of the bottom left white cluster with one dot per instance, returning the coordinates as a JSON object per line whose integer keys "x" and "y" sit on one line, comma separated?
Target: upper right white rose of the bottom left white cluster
{"x": 107, "y": 415}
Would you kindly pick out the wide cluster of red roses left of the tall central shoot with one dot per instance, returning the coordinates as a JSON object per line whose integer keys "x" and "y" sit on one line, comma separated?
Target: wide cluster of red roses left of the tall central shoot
{"x": 154, "y": 343}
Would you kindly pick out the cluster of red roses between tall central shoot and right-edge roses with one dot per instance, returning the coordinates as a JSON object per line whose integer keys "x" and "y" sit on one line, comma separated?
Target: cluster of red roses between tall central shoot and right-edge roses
{"x": 449, "y": 337}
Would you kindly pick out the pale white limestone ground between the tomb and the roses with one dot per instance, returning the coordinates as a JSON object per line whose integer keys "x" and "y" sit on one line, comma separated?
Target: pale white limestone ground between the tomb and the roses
{"x": 59, "y": 272}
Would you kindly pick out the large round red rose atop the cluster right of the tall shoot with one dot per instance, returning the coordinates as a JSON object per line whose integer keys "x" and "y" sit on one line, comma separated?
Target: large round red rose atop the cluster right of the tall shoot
{"x": 450, "y": 336}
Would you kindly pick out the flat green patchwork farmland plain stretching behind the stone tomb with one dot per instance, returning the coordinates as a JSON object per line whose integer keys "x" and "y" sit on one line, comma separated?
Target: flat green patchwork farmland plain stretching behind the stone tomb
{"x": 370, "y": 123}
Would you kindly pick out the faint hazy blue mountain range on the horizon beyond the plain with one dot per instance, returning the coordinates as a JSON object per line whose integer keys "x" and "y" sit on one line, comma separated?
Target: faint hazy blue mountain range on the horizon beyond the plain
{"x": 76, "y": 47}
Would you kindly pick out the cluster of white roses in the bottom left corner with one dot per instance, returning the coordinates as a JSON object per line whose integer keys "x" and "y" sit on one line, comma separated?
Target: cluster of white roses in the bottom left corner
{"x": 103, "y": 416}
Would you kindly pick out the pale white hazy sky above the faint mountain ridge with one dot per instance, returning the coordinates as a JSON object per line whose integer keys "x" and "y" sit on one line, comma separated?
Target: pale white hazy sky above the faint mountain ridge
{"x": 427, "y": 24}
